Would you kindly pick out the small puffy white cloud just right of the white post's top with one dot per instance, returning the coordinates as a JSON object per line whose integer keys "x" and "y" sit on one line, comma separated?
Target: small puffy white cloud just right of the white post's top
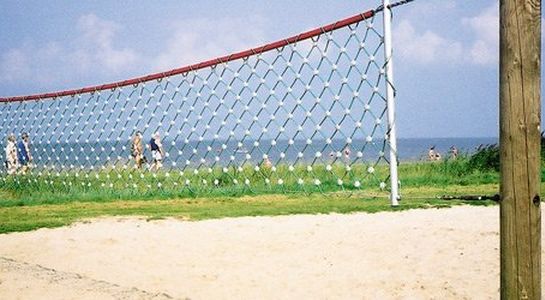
{"x": 426, "y": 47}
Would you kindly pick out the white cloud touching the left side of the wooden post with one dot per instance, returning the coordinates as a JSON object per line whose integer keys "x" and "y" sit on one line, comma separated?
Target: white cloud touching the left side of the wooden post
{"x": 485, "y": 49}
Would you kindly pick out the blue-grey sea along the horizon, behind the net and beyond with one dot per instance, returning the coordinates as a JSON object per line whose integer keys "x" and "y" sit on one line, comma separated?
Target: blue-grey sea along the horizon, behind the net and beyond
{"x": 230, "y": 152}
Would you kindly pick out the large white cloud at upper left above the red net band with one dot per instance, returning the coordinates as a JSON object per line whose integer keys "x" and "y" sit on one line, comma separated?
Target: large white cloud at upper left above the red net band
{"x": 55, "y": 64}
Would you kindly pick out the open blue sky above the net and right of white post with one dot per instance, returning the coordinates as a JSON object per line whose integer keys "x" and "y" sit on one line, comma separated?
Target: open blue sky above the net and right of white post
{"x": 445, "y": 51}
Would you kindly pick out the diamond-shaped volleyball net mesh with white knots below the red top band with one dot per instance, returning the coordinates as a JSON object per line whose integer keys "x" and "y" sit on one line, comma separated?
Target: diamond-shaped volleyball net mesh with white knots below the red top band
{"x": 306, "y": 115}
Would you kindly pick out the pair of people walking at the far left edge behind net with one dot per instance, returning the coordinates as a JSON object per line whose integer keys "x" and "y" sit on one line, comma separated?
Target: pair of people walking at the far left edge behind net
{"x": 18, "y": 154}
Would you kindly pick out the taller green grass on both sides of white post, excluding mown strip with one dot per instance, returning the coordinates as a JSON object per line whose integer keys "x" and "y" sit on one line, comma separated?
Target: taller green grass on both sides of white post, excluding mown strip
{"x": 113, "y": 185}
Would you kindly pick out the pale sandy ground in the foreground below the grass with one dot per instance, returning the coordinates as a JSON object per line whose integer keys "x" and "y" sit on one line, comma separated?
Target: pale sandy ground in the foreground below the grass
{"x": 418, "y": 254}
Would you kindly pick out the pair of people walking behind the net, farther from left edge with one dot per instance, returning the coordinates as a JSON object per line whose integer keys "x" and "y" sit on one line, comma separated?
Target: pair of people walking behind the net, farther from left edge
{"x": 154, "y": 145}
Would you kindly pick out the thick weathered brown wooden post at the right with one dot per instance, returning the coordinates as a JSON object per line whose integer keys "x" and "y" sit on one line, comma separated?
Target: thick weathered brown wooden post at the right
{"x": 520, "y": 215}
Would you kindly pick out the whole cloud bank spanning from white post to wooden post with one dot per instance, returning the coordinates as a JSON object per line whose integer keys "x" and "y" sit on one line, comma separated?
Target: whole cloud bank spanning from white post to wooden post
{"x": 421, "y": 38}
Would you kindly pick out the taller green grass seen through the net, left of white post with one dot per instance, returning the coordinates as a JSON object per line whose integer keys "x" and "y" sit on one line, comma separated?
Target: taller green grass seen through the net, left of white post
{"x": 110, "y": 185}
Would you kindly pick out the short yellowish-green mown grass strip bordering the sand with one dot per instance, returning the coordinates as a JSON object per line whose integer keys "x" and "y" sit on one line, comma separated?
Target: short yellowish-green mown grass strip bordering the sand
{"x": 54, "y": 215}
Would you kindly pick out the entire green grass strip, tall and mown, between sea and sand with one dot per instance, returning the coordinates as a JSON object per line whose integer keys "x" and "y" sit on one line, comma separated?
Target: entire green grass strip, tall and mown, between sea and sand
{"x": 31, "y": 202}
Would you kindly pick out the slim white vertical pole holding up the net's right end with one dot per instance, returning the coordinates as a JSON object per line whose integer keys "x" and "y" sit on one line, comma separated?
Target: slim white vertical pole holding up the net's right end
{"x": 390, "y": 100}
